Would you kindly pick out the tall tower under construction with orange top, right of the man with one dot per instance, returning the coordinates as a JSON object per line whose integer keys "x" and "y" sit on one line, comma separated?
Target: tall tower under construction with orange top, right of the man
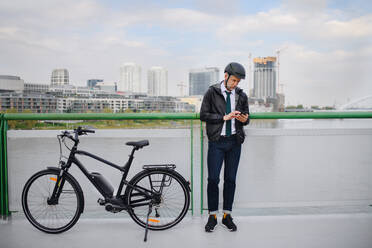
{"x": 264, "y": 84}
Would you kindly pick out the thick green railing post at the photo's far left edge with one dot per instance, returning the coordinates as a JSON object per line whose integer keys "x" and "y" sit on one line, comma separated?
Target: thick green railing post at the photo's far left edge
{"x": 4, "y": 198}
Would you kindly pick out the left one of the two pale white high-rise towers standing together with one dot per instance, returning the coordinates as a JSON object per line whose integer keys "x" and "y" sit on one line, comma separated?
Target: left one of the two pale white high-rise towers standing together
{"x": 130, "y": 78}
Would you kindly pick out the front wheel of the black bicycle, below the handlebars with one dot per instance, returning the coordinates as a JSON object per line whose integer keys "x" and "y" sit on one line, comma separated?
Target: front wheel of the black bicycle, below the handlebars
{"x": 52, "y": 218}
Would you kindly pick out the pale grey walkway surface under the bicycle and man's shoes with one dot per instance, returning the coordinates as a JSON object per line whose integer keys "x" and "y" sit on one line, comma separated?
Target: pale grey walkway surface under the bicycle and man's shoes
{"x": 287, "y": 231}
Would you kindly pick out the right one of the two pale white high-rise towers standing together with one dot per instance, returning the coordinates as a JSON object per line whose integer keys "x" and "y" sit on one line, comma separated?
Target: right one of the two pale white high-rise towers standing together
{"x": 157, "y": 79}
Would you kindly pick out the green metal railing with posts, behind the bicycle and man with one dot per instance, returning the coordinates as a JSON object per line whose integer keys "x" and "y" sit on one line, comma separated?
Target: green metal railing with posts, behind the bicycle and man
{"x": 4, "y": 198}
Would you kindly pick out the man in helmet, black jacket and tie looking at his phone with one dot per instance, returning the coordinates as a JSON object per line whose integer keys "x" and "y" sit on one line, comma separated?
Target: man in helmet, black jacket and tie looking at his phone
{"x": 225, "y": 110}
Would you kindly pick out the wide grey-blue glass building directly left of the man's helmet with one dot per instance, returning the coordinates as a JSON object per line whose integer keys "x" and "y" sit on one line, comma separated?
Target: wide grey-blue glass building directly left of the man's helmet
{"x": 200, "y": 79}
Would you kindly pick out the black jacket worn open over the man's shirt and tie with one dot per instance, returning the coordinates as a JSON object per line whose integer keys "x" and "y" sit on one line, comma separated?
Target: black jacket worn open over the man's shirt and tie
{"x": 213, "y": 110}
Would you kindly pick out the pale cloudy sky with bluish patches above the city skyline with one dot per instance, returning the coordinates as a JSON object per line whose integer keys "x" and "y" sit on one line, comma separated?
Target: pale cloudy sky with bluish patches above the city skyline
{"x": 325, "y": 57}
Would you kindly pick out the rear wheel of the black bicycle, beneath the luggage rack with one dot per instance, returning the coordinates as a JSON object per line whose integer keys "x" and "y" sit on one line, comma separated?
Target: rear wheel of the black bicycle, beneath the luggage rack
{"x": 175, "y": 199}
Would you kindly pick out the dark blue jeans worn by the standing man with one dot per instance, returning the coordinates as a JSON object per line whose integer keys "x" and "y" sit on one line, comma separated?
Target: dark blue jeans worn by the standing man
{"x": 224, "y": 150}
